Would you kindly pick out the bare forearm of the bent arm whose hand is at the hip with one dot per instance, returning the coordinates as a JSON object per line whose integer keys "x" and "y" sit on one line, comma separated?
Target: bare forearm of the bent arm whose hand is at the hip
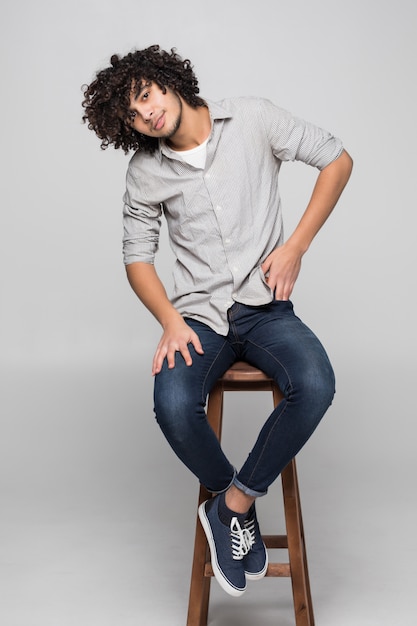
{"x": 327, "y": 190}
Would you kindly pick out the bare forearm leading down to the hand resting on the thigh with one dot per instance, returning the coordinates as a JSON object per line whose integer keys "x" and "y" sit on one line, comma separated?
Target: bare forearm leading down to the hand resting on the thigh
{"x": 147, "y": 285}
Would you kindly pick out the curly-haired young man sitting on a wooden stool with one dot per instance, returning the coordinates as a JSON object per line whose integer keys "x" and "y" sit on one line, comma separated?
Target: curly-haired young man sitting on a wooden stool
{"x": 212, "y": 169}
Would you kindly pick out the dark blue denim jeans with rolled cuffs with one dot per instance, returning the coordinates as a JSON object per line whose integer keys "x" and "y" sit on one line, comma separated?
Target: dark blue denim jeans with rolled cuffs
{"x": 273, "y": 339}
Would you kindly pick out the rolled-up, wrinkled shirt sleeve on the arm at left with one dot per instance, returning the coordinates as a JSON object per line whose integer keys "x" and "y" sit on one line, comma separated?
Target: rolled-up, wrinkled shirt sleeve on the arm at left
{"x": 141, "y": 223}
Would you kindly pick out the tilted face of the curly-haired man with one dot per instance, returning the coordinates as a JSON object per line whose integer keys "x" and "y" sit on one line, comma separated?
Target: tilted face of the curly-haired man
{"x": 154, "y": 113}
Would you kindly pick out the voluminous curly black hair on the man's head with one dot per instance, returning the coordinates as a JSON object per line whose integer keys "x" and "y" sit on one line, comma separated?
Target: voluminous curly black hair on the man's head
{"x": 107, "y": 98}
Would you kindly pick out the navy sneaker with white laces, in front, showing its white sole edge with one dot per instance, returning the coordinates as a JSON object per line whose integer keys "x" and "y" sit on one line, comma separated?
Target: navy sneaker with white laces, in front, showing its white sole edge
{"x": 228, "y": 545}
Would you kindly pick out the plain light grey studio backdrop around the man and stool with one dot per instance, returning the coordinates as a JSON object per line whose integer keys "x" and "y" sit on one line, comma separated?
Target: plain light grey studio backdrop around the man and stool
{"x": 97, "y": 514}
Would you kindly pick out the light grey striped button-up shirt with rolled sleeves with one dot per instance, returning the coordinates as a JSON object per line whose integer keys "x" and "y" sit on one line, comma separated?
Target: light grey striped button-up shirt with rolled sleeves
{"x": 225, "y": 219}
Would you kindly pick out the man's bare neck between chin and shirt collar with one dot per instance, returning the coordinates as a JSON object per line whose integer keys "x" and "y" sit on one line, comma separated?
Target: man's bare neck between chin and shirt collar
{"x": 194, "y": 128}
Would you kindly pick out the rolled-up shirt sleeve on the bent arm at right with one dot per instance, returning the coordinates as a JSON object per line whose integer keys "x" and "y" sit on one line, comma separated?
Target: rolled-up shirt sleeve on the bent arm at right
{"x": 294, "y": 139}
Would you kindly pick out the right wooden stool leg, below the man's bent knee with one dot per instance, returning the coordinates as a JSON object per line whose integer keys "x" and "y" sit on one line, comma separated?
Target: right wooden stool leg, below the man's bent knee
{"x": 303, "y": 605}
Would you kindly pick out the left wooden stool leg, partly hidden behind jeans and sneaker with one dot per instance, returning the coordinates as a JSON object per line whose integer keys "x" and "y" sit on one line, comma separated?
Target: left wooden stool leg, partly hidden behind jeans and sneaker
{"x": 200, "y": 584}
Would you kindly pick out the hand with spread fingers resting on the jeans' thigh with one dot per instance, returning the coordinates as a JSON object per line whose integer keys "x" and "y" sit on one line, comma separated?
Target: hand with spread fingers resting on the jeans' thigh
{"x": 176, "y": 337}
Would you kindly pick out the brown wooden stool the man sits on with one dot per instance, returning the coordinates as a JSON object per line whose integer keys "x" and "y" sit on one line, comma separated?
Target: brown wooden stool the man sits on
{"x": 244, "y": 377}
